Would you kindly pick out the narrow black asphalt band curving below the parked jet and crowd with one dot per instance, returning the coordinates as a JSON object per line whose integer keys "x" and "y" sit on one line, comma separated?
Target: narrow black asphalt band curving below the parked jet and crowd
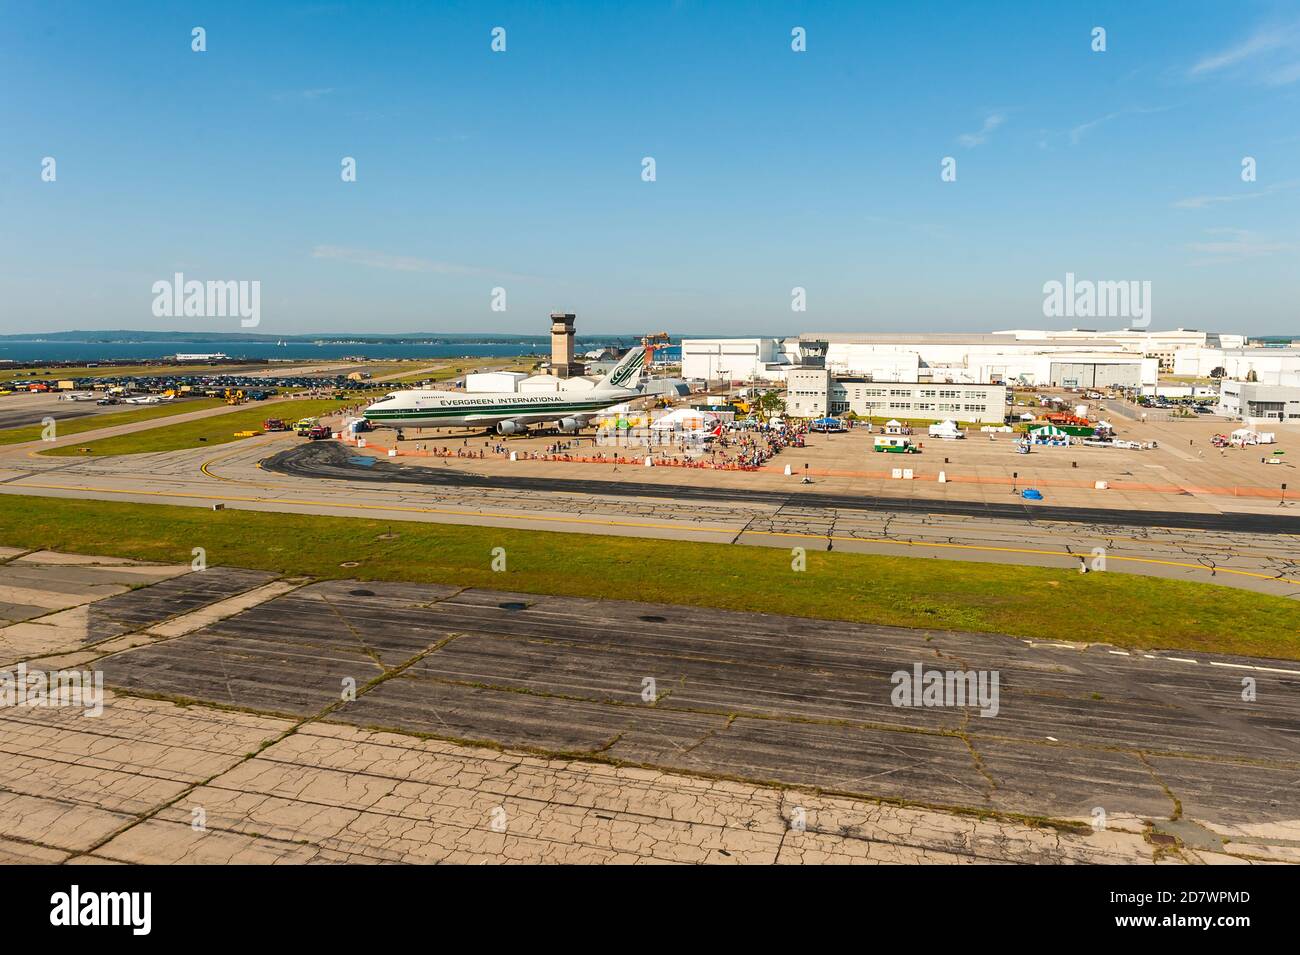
{"x": 331, "y": 461}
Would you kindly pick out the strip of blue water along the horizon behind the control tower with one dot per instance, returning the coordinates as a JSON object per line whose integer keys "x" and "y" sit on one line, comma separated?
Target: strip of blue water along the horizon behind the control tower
{"x": 292, "y": 351}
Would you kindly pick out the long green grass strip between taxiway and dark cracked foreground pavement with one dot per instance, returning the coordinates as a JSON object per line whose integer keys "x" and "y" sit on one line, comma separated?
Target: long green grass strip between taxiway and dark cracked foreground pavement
{"x": 1124, "y": 610}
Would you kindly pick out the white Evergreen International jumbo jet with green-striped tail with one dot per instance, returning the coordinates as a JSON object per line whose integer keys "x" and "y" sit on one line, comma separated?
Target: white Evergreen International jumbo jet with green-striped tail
{"x": 512, "y": 413}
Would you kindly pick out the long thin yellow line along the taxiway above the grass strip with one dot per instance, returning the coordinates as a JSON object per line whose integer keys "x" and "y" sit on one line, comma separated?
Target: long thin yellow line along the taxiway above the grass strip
{"x": 643, "y": 526}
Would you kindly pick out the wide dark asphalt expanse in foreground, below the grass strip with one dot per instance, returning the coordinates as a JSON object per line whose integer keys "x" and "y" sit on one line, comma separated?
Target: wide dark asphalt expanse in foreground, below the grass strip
{"x": 759, "y": 697}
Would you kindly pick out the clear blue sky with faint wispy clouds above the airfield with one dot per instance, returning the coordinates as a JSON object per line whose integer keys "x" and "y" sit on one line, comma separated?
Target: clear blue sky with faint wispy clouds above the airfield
{"x": 774, "y": 170}
